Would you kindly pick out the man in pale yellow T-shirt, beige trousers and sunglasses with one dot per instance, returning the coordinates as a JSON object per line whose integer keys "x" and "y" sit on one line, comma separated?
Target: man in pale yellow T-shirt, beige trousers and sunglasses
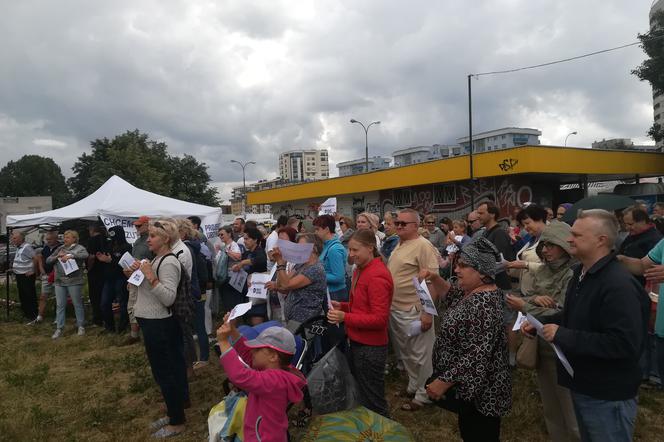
{"x": 414, "y": 348}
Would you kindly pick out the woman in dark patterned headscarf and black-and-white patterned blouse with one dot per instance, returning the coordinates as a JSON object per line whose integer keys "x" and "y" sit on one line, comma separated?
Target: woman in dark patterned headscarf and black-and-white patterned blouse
{"x": 470, "y": 354}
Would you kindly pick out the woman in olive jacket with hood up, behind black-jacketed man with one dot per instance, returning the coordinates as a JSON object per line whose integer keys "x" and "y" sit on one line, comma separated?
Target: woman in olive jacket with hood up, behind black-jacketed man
{"x": 548, "y": 296}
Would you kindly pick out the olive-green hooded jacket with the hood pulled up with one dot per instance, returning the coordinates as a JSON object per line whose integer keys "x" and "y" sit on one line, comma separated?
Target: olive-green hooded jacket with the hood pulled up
{"x": 552, "y": 278}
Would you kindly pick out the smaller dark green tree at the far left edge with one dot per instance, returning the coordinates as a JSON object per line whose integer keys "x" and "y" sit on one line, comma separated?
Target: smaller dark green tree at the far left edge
{"x": 33, "y": 175}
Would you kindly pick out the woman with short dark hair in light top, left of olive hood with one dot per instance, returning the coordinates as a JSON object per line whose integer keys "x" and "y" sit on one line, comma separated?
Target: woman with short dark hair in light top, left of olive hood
{"x": 533, "y": 218}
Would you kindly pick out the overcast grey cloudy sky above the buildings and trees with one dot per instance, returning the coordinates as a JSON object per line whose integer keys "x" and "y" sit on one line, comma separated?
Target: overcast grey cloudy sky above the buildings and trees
{"x": 246, "y": 80}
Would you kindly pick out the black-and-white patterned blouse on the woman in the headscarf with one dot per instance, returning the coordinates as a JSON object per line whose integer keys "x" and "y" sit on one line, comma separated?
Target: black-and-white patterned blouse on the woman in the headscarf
{"x": 471, "y": 350}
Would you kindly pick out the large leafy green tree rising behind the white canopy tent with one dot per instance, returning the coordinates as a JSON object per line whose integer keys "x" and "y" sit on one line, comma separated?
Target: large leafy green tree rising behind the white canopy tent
{"x": 144, "y": 163}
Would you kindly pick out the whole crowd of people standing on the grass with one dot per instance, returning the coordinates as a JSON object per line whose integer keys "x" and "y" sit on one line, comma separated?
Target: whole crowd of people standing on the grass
{"x": 586, "y": 287}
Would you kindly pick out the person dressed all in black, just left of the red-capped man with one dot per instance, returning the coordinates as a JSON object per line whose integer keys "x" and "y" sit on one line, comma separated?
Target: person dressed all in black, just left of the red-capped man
{"x": 115, "y": 281}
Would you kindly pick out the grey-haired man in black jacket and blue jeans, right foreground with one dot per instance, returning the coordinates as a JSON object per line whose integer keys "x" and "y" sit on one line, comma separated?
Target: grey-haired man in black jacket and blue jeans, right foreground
{"x": 602, "y": 330}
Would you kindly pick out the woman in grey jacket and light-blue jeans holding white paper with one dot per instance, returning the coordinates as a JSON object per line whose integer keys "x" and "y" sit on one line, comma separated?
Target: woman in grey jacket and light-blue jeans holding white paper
{"x": 69, "y": 284}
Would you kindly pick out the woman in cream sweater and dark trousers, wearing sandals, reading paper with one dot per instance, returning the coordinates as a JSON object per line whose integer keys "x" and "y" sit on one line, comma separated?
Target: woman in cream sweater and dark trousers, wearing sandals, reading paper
{"x": 162, "y": 334}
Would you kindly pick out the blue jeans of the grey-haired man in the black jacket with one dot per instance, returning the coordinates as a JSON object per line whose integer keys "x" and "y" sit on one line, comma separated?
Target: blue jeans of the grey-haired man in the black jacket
{"x": 604, "y": 421}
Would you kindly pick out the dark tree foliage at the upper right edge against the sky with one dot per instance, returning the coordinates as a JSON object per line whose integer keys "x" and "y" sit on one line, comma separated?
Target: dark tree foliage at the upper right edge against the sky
{"x": 652, "y": 69}
